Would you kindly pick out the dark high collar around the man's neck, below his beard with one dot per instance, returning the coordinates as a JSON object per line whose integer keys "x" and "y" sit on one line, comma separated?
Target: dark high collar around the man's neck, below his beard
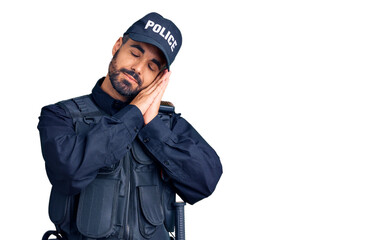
{"x": 108, "y": 104}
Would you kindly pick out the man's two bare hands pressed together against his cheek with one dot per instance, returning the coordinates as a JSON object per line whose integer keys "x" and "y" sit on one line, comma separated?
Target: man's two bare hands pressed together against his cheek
{"x": 148, "y": 99}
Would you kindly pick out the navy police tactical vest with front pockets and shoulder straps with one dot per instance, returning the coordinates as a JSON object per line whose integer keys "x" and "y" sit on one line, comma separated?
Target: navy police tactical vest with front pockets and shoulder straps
{"x": 128, "y": 200}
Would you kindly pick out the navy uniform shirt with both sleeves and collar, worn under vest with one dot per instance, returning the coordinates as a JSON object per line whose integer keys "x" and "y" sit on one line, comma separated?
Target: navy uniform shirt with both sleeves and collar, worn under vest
{"x": 72, "y": 161}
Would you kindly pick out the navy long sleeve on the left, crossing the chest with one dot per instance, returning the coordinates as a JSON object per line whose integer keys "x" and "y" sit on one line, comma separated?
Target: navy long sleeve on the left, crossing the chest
{"x": 72, "y": 161}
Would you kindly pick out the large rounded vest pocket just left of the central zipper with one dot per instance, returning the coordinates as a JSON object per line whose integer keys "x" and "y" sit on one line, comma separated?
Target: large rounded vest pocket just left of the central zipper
{"x": 97, "y": 208}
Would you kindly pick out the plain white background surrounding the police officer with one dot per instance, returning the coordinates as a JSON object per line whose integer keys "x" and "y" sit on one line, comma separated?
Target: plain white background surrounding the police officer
{"x": 293, "y": 95}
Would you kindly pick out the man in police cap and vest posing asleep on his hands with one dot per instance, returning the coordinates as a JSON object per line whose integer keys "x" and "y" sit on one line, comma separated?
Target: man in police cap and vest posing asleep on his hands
{"x": 114, "y": 169}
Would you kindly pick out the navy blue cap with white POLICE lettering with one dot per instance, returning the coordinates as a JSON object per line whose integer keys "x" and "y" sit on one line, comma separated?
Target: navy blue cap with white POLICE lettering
{"x": 158, "y": 31}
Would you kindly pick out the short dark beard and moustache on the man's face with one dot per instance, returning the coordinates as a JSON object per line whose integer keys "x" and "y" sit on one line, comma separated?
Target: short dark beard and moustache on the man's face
{"x": 122, "y": 85}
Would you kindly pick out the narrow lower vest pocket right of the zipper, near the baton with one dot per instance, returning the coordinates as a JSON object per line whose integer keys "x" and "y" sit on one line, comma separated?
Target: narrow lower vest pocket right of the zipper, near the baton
{"x": 151, "y": 214}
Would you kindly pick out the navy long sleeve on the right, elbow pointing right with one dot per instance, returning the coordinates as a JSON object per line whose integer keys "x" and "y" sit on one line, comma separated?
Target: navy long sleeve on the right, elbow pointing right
{"x": 192, "y": 166}
